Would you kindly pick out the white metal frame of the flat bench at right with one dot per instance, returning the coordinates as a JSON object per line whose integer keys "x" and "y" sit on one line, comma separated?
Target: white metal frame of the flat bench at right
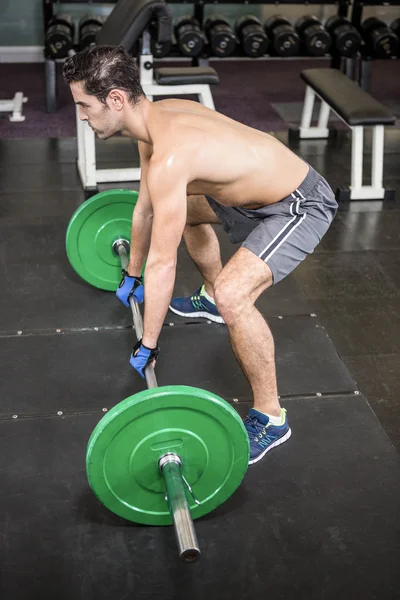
{"x": 358, "y": 191}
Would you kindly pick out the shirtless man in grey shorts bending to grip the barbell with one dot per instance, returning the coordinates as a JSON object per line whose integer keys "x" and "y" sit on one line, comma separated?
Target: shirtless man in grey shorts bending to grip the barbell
{"x": 198, "y": 168}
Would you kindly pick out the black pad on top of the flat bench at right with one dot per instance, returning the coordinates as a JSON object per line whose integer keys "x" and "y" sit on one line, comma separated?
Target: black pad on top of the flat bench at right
{"x": 345, "y": 96}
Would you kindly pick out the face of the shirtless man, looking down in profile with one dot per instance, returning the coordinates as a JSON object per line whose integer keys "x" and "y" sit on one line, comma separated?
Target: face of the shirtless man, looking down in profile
{"x": 102, "y": 118}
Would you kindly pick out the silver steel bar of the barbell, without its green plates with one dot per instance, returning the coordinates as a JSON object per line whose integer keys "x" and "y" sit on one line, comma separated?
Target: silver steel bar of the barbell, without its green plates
{"x": 170, "y": 464}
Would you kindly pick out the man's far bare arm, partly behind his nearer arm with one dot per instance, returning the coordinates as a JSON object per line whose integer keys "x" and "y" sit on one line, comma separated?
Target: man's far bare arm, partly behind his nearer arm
{"x": 141, "y": 218}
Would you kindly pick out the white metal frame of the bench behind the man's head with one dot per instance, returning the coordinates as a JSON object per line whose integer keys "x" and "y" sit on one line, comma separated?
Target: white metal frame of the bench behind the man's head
{"x": 89, "y": 174}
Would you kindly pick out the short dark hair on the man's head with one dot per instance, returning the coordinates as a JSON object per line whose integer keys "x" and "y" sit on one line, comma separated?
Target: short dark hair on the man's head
{"x": 103, "y": 68}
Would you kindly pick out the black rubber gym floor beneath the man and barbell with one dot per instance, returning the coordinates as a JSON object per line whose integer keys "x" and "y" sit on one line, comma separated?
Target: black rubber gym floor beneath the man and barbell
{"x": 317, "y": 518}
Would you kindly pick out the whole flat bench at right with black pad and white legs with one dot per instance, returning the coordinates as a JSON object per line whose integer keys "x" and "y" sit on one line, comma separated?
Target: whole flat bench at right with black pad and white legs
{"x": 358, "y": 110}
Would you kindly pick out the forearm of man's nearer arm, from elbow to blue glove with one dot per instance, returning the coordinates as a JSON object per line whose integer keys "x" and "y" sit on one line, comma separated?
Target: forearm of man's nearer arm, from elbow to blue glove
{"x": 159, "y": 285}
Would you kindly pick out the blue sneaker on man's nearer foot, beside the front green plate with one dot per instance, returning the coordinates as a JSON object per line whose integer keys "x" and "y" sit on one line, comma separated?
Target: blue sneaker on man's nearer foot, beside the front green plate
{"x": 264, "y": 436}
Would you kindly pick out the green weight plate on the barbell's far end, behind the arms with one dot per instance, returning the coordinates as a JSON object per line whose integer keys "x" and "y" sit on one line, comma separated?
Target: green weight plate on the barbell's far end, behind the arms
{"x": 93, "y": 229}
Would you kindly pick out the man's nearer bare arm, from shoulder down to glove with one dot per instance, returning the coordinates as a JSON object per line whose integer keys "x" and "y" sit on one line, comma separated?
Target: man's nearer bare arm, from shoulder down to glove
{"x": 167, "y": 189}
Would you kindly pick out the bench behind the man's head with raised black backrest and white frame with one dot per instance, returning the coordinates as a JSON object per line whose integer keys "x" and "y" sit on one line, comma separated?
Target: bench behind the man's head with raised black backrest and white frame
{"x": 132, "y": 24}
